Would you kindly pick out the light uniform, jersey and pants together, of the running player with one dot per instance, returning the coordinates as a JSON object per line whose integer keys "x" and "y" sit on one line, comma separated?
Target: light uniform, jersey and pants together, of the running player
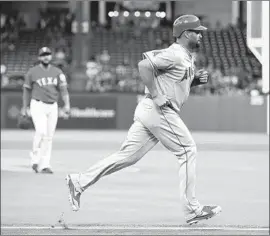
{"x": 174, "y": 72}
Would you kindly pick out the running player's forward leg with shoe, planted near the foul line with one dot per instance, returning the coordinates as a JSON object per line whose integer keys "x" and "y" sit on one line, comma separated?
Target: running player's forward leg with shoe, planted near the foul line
{"x": 174, "y": 134}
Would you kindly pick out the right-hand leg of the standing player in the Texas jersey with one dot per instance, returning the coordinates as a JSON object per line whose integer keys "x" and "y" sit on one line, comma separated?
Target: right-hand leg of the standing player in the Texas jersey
{"x": 46, "y": 146}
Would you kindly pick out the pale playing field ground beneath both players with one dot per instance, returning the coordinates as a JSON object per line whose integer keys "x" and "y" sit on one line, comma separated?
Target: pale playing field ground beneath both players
{"x": 232, "y": 171}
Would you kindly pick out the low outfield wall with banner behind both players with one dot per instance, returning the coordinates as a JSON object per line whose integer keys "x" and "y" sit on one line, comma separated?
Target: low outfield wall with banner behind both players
{"x": 115, "y": 111}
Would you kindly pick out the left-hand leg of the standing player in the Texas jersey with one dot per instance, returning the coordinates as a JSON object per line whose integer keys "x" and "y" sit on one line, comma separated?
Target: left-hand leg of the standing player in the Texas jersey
{"x": 38, "y": 115}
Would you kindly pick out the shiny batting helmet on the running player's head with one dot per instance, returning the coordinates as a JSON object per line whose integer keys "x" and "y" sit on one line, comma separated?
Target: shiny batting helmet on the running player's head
{"x": 186, "y": 22}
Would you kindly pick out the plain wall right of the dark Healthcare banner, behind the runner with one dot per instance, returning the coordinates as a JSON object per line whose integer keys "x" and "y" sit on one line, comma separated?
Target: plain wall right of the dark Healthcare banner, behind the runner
{"x": 209, "y": 113}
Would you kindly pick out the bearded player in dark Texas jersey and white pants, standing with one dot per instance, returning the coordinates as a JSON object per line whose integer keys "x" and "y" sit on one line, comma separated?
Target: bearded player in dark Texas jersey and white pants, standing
{"x": 43, "y": 83}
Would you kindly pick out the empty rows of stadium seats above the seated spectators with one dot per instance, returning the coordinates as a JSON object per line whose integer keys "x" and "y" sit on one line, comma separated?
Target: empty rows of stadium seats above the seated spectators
{"x": 224, "y": 49}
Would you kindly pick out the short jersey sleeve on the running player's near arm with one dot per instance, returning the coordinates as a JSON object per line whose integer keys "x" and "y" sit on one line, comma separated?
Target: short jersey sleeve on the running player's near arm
{"x": 160, "y": 59}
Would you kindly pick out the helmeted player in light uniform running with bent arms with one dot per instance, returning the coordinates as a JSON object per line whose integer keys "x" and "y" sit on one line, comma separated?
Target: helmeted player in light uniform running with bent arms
{"x": 168, "y": 75}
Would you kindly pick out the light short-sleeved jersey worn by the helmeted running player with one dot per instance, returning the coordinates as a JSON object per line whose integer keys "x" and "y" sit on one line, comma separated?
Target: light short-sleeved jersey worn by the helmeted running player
{"x": 174, "y": 68}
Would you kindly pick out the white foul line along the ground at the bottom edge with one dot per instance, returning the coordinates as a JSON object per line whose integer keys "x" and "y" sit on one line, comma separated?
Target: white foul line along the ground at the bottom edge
{"x": 230, "y": 228}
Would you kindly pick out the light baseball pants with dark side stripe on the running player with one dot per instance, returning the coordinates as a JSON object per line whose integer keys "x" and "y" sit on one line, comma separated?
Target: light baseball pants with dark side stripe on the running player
{"x": 151, "y": 125}
